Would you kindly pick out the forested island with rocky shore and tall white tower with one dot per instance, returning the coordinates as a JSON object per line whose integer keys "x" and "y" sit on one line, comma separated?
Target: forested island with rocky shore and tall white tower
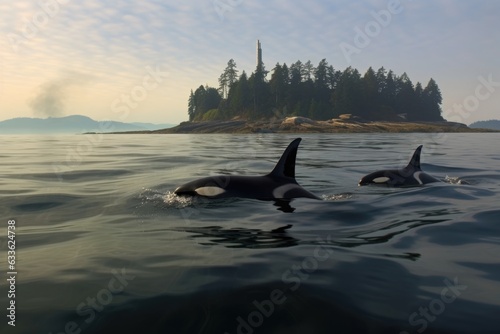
{"x": 318, "y": 99}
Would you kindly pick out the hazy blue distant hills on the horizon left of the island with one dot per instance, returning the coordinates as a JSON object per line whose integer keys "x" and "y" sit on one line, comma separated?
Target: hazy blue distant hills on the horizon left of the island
{"x": 70, "y": 125}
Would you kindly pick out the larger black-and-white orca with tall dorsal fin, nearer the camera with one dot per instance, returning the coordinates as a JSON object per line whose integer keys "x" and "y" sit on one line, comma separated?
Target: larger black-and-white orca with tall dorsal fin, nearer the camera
{"x": 280, "y": 184}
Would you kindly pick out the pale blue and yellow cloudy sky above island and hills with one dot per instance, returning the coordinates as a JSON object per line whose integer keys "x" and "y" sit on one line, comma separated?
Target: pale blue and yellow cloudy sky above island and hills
{"x": 137, "y": 61}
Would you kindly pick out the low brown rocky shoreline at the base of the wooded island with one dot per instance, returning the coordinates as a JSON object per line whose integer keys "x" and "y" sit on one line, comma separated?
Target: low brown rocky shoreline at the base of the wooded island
{"x": 306, "y": 125}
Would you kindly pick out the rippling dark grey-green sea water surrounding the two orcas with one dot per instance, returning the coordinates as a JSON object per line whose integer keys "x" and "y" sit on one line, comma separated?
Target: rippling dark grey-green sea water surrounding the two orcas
{"x": 103, "y": 245}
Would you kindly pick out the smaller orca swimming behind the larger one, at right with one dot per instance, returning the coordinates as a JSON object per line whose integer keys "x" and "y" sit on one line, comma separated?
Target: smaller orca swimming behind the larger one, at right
{"x": 411, "y": 175}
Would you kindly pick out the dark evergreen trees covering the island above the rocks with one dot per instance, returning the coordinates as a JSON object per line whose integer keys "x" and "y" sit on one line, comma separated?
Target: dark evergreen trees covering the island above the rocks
{"x": 318, "y": 92}
